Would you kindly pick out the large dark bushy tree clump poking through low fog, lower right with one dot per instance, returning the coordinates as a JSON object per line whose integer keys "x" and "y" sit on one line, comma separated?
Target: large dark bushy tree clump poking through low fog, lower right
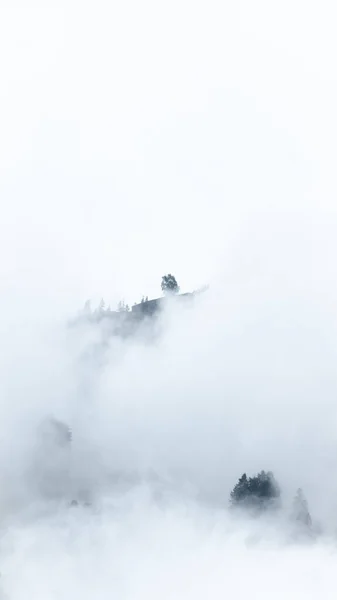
{"x": 256, "y": 492}
